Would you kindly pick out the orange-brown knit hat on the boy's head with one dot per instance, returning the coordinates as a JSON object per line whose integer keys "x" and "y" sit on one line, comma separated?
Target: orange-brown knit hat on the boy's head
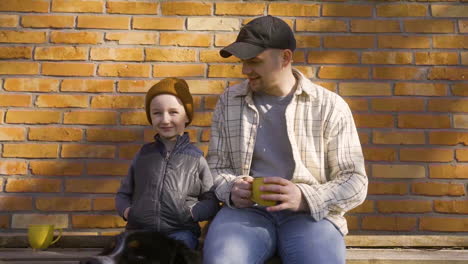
{"x": 177, "y": 87}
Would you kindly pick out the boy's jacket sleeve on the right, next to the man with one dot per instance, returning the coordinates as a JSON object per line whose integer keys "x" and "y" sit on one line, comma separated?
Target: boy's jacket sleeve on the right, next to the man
{"x": 207, "y": 205}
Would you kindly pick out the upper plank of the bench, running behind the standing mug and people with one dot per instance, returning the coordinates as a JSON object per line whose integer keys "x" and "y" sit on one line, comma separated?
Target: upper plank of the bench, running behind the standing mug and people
{"x": 20, "y": 240}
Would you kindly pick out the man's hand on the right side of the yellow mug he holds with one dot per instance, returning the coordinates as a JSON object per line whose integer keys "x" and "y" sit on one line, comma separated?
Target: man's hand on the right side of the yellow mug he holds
{"x": 287, "y": 194}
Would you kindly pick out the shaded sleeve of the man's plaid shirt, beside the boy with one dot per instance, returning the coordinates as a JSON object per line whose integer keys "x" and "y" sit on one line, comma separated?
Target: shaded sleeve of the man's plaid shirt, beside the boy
{"x": 219, "y": 159}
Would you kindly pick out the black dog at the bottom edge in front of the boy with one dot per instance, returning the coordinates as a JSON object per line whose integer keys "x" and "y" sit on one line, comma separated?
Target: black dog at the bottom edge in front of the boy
{"x": 145, "y": 247}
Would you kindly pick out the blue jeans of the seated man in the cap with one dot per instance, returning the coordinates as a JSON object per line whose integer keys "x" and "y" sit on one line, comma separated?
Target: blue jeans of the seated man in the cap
{"x": 253, "y": 235}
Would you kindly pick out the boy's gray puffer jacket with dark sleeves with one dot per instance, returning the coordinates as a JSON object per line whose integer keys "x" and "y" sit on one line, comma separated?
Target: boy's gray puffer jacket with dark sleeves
{"x": 164, "y": 190}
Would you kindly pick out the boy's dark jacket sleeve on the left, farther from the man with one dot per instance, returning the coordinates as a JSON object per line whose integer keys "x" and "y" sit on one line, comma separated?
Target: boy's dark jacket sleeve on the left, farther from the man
{"x": 123, "y": 198}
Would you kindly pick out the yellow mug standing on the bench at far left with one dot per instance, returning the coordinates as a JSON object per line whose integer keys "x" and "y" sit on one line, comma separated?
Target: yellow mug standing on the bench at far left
{"x": 40, "y": 236}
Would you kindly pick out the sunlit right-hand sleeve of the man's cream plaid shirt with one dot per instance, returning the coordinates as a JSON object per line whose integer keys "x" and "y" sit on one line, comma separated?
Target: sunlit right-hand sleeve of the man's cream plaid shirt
{"x": 347, "y": 185}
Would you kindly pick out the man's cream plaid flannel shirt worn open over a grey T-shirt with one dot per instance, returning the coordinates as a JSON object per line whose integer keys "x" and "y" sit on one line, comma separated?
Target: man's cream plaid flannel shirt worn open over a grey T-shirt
{"x": 329, "y": 165}
